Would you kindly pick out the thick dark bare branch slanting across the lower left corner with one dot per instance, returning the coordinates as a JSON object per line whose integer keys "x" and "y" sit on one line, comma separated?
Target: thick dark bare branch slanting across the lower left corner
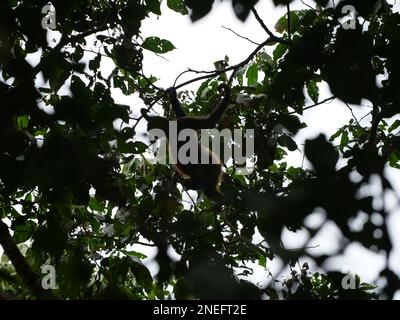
{"x": 23, "y": 269}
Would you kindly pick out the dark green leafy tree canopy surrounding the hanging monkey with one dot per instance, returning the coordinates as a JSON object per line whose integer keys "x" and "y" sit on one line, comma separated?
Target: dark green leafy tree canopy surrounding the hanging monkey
{"x": 79, "y": 190}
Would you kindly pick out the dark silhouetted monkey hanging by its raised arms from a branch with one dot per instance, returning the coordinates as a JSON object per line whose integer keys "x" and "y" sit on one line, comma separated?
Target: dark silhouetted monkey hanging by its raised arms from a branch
{"x": 199, "y": 176}
